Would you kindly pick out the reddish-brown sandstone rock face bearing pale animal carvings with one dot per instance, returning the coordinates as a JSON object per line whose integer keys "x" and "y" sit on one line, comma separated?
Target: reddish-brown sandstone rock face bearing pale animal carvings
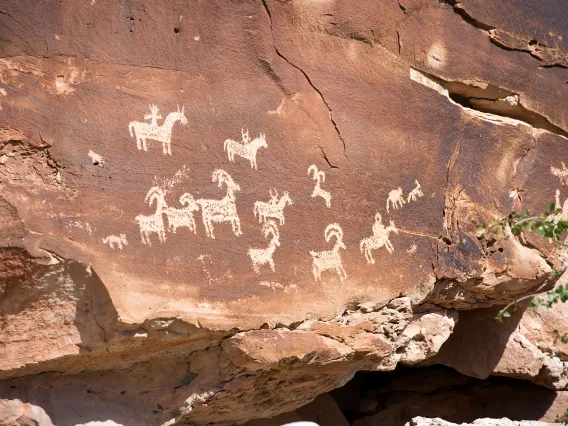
{"x": 215, "y": 212}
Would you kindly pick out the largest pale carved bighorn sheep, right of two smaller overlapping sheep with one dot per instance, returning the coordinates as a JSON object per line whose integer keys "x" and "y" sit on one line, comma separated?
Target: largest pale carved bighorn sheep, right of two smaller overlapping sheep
{"x": 224, "y": 210}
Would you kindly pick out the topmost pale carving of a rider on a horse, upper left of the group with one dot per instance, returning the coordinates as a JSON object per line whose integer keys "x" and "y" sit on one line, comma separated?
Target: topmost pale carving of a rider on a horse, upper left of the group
{"x": 153, "y": 131}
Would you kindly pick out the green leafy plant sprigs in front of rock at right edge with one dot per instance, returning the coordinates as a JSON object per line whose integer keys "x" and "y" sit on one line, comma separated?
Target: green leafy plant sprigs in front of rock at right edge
{"x": 550, "y": 224}
